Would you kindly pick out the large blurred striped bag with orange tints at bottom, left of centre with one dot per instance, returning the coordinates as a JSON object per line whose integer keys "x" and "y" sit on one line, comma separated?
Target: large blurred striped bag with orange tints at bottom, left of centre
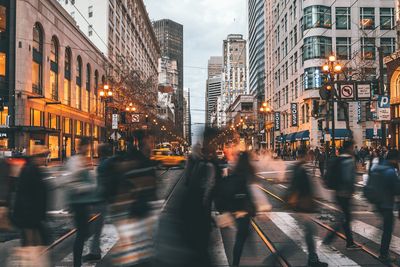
{"x": 135, "y": 244}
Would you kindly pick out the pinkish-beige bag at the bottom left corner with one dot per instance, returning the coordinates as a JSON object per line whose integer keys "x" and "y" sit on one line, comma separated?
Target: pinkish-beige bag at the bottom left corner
{"x": 33, "y": 256}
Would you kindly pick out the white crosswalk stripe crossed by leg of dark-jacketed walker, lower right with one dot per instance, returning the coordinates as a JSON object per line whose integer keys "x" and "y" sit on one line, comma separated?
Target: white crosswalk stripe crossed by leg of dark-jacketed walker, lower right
{"x": 287, "y": 224}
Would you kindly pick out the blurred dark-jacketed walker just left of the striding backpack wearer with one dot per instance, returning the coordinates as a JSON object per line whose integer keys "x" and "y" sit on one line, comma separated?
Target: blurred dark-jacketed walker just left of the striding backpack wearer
{"x": 300, "y": 197}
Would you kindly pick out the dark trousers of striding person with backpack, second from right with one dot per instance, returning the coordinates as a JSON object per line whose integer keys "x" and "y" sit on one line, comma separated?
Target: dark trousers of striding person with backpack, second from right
{"x": 344, "y": 221}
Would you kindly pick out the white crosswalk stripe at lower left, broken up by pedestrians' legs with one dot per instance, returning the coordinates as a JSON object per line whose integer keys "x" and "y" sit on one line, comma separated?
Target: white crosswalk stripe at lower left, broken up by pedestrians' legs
{"x": 108, "y": 239}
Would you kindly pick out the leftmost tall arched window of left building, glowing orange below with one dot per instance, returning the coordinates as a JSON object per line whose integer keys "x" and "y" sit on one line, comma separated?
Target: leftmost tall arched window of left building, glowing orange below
{"x": 37, "y": 60}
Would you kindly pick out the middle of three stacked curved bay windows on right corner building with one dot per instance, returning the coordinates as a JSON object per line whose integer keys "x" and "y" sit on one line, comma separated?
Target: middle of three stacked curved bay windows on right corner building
{"x": 317, "y": 47}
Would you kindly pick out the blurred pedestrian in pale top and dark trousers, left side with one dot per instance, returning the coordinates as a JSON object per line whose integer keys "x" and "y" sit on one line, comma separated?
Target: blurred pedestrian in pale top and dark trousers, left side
{"x": 81, "y": 188}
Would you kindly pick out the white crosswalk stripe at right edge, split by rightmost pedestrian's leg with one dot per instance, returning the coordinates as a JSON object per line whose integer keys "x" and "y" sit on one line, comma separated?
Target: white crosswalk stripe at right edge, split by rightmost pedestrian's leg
{"x": 374, "y": 234}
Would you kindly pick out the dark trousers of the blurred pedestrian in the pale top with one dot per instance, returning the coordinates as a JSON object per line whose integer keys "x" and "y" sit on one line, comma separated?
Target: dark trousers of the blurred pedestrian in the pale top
{"x": 81, "y": 218}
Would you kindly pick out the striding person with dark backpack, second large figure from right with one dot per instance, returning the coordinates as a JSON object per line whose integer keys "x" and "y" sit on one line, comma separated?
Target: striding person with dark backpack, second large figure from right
{"x": 340, "y": 177}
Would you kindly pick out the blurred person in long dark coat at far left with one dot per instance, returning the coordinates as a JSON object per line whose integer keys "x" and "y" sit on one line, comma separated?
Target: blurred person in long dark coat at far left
{"x": 31, "y": 200}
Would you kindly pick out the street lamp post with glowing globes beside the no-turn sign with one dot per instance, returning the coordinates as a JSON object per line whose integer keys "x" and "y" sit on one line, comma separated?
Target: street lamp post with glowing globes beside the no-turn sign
{"x": 332, "y": 67}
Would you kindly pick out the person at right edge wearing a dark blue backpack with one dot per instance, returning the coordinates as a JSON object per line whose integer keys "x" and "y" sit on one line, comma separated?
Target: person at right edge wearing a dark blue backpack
{"x": 382, "y": 187}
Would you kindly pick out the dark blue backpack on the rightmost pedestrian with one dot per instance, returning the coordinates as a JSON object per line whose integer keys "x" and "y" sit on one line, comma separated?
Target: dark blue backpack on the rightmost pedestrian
{"x": 374, "y": 189}
